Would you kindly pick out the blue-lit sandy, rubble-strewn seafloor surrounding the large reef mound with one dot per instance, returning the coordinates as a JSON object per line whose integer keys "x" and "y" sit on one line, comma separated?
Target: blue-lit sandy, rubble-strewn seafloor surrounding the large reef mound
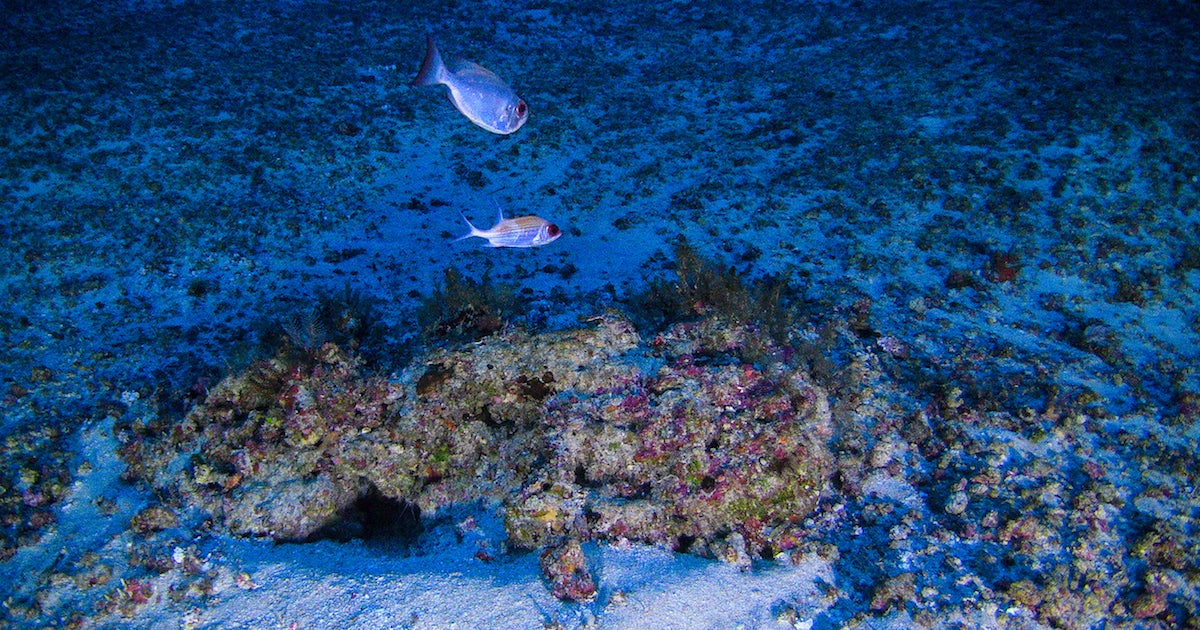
{"x": 1004, "y": 195}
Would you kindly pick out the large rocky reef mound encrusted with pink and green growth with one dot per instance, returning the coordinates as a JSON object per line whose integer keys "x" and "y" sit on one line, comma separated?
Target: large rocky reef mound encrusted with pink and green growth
{"x": 585, "y": 435}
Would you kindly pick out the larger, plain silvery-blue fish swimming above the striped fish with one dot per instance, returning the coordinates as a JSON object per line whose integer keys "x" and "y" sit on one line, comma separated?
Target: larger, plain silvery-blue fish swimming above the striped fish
{"x": 476, "y": 92}
